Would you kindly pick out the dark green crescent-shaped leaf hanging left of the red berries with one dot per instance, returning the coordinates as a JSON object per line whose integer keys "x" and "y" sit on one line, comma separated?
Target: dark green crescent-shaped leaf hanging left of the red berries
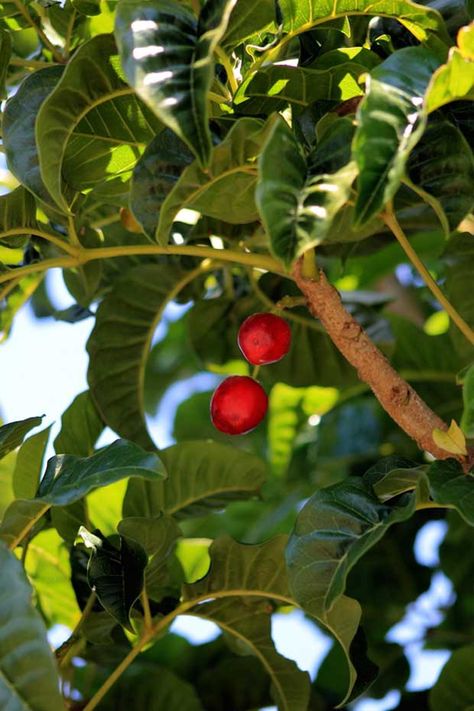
{"x": 119, "y": 344}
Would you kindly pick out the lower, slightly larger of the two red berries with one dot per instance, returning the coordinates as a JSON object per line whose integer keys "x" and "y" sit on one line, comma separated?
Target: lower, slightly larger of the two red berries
{"x": 238, "y": 405}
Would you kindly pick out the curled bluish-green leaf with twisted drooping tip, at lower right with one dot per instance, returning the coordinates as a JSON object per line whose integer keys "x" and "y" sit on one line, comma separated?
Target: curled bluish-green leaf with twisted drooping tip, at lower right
{"x": 333, "y": 530}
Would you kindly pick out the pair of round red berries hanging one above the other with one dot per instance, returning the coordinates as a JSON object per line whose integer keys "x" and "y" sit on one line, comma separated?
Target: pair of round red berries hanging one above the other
{"x": 240, "y": 403}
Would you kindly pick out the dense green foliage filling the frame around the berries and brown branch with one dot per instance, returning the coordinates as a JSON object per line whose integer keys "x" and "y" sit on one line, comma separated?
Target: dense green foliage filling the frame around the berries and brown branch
{"x": 177, "y": 151}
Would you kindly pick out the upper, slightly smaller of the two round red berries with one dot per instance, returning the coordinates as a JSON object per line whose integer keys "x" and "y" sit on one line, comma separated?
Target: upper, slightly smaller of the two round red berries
{"x": 264, "y": 338}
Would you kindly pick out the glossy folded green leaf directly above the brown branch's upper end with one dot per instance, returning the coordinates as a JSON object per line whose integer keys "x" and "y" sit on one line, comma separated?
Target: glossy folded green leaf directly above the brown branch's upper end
{"x": 297, "y": 210}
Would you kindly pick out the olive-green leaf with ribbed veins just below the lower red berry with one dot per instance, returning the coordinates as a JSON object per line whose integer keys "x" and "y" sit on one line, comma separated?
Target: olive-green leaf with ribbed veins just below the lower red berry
{"x": 201, "y": 476}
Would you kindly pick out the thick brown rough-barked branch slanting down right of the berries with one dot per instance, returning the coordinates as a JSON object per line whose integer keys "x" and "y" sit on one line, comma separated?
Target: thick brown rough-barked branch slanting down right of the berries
{"x": 395, "y": 395}
